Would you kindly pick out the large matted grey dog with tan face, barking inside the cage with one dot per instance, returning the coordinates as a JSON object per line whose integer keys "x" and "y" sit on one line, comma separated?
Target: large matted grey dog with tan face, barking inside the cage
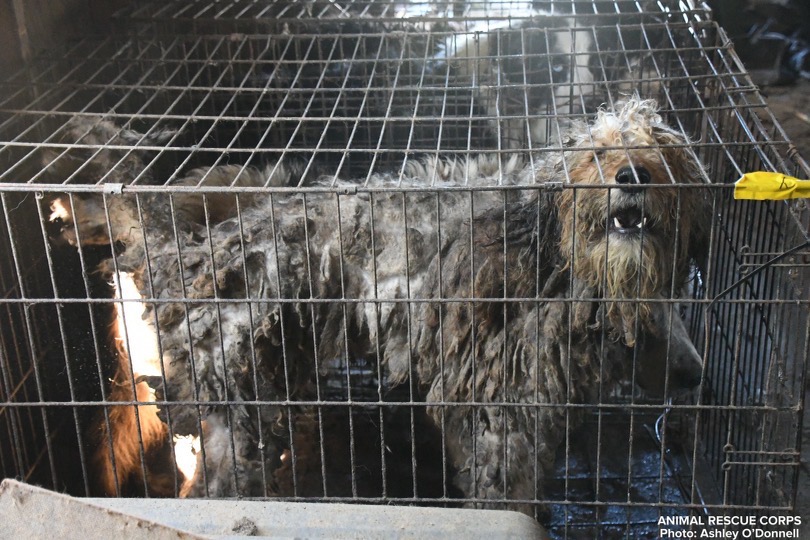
{"x": 504, "y": 307}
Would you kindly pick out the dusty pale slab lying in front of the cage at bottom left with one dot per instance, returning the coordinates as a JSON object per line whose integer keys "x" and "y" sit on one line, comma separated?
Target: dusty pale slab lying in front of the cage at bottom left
{"x": 37, "y": 513}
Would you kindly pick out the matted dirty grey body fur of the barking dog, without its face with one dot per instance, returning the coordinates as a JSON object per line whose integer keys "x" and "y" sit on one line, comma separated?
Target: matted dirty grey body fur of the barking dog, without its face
{"x": 282, "y": 284}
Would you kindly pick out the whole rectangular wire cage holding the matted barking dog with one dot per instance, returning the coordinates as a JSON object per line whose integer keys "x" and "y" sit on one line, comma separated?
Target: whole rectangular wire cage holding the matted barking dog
{"x": 113, "y": 145}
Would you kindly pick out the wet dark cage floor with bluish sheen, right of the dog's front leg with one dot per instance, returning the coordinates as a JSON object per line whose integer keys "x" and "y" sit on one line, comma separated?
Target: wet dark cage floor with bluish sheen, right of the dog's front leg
{"x": 612, "y": 464}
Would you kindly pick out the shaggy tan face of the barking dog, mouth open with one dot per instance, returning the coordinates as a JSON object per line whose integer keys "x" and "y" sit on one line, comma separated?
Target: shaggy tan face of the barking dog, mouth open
{"x": 627, "y": 233}
